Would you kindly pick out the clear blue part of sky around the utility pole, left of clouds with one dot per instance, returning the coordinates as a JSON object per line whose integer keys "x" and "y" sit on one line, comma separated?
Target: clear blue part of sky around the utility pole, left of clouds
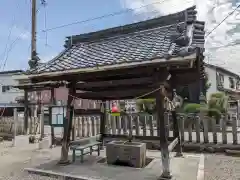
{"x": 57, "y": 13}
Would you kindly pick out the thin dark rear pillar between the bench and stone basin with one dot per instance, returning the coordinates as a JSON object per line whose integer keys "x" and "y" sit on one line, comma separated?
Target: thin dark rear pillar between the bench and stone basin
{"x": 103, "y": 122}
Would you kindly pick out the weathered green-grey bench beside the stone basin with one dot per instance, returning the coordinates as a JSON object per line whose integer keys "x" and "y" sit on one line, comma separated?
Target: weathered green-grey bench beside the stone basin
{"x": 85, "y": 146}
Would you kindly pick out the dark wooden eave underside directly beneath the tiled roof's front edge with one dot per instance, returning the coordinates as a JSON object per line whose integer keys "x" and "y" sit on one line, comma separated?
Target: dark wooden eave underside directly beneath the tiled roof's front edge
{"x": 140, "y": 71}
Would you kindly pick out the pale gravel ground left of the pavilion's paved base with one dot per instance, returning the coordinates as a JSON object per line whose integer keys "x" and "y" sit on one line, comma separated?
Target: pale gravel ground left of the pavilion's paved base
{"x": 13, "y": 161}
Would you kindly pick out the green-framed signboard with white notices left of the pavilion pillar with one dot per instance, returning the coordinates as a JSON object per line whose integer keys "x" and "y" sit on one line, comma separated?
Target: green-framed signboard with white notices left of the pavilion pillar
{"x": 58, "y": 116}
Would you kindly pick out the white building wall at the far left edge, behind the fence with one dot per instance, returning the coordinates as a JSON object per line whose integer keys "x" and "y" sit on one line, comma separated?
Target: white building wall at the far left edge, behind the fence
{"x": 9, "y": 96}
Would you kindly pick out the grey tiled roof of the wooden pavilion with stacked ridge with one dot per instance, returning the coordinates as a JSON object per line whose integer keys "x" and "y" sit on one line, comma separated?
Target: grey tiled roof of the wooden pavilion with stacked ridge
{"x": 163, "y": 37}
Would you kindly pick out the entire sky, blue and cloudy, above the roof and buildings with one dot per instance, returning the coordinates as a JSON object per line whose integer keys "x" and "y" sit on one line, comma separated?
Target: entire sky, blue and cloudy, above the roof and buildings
{"x": 222, "y": 46}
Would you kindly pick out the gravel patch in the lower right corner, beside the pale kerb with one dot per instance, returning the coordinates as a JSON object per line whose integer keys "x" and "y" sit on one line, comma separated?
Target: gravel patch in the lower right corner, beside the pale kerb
{"x": 221, "y": 167}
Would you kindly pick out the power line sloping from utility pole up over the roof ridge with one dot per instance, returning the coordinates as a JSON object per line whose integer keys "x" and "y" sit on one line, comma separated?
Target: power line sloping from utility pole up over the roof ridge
{"x": 102, "y": 17}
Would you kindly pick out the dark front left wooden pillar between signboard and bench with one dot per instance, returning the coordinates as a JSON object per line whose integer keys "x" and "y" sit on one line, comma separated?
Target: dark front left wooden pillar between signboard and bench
{"x": 68, "y": 124}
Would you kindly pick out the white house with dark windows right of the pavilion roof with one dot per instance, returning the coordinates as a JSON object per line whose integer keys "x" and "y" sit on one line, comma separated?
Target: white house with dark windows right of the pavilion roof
{"x": 222, "y": 80}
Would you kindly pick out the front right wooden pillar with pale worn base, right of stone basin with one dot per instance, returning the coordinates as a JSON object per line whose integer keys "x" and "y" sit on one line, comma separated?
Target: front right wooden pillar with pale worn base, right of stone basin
{"x": 163, "y": 135}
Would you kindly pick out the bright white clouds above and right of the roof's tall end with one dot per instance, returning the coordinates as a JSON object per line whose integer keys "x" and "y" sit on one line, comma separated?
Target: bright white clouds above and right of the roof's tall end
{"x": 210, "y": 11}
